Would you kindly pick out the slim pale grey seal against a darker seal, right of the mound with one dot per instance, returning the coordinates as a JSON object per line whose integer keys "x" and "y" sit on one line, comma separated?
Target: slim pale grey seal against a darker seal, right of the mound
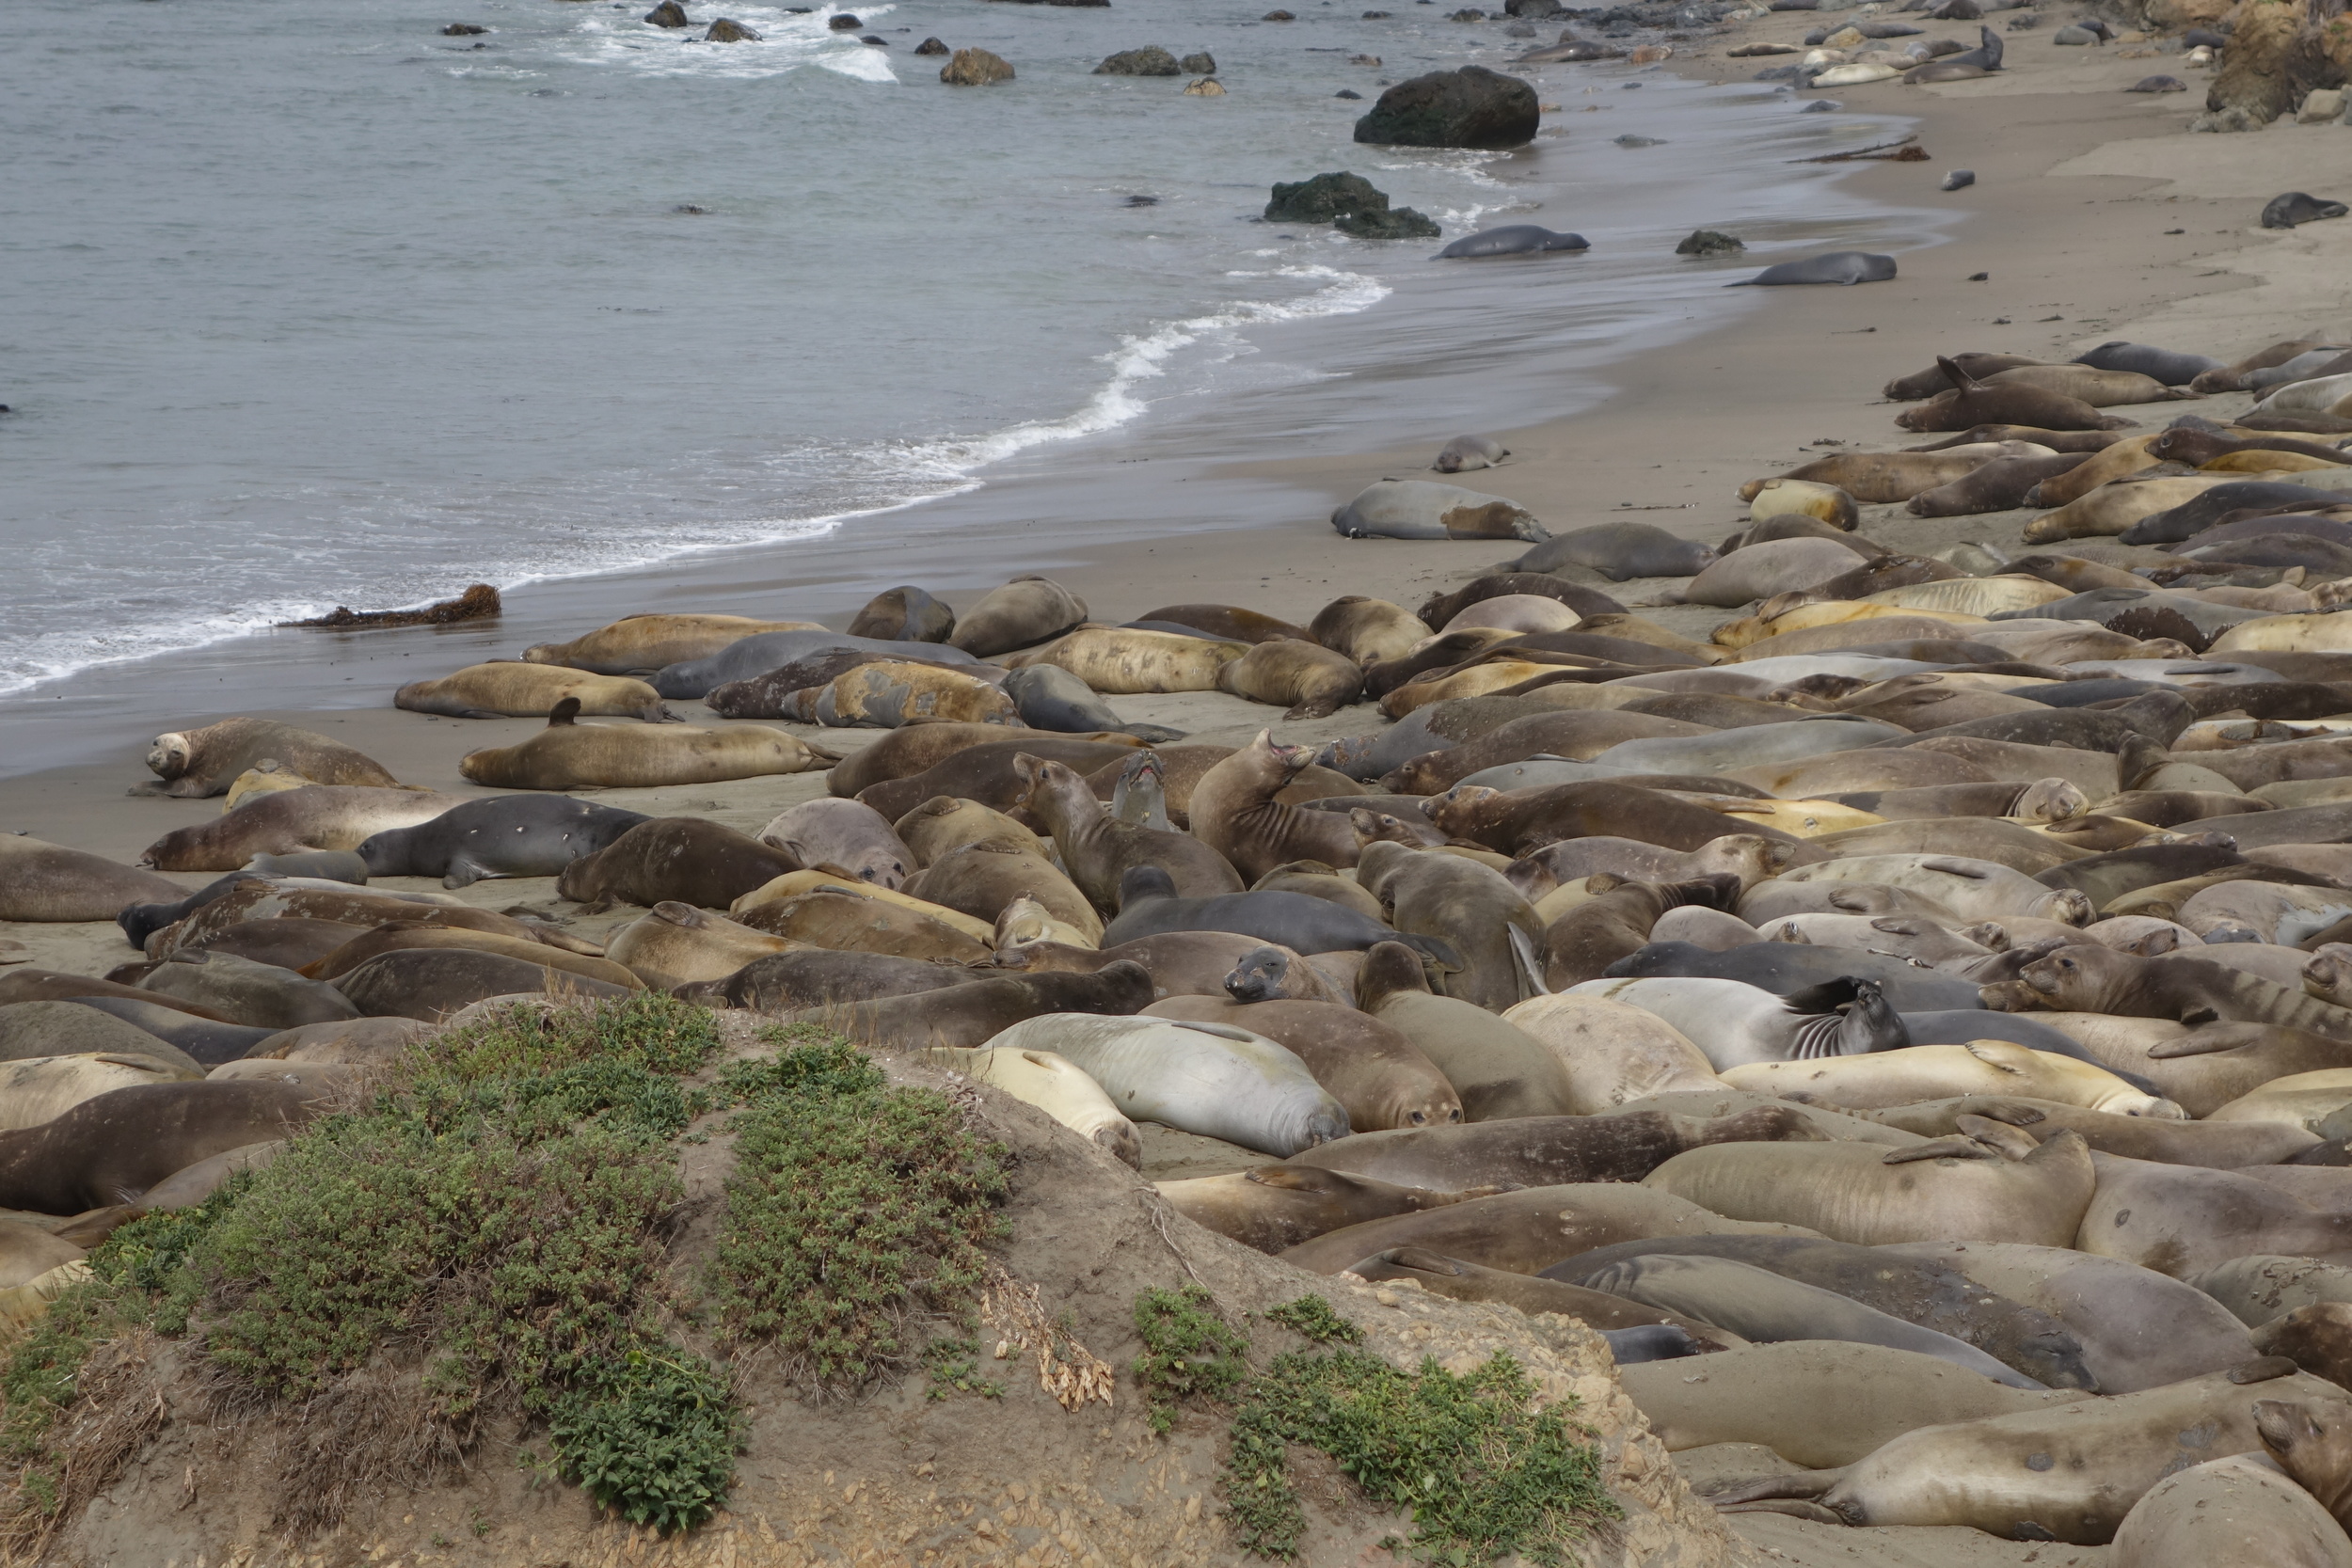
{"x": 1765, "y": 1308}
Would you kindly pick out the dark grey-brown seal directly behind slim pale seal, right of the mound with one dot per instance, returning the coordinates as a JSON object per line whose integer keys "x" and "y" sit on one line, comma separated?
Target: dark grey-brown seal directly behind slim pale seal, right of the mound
{"x": 1923, "y": 1294}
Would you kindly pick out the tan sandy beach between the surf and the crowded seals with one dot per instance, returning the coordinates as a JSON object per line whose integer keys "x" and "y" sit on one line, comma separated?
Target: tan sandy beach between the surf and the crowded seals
{"x": 2094, "y": 217}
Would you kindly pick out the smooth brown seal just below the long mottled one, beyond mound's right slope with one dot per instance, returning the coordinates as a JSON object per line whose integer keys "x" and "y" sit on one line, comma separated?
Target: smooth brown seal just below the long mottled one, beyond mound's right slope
{"x": 1528, "y": 1231}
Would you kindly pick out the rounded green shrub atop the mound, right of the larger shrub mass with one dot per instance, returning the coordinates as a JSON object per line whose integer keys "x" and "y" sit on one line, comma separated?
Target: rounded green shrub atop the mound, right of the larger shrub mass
{"x": 853, "y": 1209}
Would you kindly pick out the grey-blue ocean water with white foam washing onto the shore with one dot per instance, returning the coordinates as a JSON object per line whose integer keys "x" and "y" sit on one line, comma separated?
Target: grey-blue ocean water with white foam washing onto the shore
{"x": 305, "y": 304}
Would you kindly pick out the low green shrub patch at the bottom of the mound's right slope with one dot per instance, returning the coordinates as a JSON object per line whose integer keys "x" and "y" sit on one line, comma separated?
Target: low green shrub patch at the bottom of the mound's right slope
{"x": 1481, "y": 1470}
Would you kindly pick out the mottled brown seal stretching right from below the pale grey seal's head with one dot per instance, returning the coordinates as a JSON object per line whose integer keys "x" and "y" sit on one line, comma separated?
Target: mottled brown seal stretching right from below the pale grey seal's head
{"x": 1544, "y": 1151}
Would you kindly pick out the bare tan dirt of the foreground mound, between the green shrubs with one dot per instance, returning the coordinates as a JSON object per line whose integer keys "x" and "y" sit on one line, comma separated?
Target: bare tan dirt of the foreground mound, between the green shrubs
{"x": 1024, "y": 1442}
